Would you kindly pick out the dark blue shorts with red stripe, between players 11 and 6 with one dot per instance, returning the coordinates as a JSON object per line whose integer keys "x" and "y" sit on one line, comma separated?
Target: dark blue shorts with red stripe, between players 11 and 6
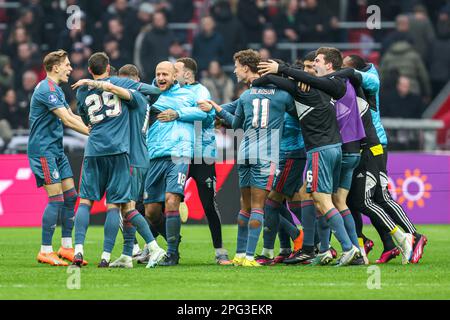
{"x": 290, "y": 176}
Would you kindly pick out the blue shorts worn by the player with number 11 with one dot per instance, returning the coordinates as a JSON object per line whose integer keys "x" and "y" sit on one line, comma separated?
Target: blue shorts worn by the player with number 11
{"x": 260, "y": 175}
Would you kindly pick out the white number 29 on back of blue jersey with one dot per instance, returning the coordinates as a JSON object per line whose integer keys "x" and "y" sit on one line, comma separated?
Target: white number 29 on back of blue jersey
{"x": 95, "y": 102}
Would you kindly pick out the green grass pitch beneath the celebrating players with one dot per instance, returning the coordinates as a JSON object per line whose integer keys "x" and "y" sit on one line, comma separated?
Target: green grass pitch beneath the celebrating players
{"x": 197, "y": 277}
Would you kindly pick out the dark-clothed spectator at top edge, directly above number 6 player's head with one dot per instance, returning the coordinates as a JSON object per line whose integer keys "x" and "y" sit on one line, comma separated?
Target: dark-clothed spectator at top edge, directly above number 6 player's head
{"x": 316, "y": 24}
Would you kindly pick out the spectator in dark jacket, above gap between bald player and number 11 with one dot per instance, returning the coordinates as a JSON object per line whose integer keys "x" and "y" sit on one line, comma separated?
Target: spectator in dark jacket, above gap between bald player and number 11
{"x": 208, "y": 44}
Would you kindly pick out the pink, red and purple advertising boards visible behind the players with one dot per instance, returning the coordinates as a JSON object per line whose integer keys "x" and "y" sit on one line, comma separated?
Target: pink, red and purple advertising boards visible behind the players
{"x": 420, "y": 182}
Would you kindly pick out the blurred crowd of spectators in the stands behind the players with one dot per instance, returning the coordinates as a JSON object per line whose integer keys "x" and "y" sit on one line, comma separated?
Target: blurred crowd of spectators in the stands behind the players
{"x": 414, "y": 61}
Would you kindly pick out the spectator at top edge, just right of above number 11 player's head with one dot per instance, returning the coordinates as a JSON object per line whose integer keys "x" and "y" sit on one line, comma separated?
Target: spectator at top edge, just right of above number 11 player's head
{"x": 286, "y": 23}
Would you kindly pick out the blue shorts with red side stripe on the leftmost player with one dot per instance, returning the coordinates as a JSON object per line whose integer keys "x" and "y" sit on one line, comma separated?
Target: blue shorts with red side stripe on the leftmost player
{"x": 49, "y": 170}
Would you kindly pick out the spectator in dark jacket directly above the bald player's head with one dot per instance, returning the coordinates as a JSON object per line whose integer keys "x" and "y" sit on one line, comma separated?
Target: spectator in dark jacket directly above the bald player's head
{"x": 155, "y": 45}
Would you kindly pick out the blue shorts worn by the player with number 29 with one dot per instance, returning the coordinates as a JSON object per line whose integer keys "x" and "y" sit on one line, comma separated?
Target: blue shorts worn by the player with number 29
{"x": 110, "y": 174}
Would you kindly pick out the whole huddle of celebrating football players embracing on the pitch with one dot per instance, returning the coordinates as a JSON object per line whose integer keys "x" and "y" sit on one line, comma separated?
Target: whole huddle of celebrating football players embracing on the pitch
{"x": 313, "y": 147}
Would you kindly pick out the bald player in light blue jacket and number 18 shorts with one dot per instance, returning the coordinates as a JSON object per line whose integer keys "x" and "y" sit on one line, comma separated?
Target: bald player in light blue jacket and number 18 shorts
{"x": 170, "y": 143}
